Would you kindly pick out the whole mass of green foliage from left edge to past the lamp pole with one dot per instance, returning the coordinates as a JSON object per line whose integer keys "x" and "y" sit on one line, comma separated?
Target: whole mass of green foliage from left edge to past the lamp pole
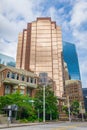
{"x": 28, "y": 111}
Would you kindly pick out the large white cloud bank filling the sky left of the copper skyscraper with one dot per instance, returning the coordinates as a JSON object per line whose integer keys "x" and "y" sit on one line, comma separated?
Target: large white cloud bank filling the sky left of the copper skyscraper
{"x": 14, "y": 15}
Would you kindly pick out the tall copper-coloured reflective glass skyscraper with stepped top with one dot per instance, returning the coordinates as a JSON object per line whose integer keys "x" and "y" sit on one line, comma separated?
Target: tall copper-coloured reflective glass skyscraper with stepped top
{"x": 40, "y": 49}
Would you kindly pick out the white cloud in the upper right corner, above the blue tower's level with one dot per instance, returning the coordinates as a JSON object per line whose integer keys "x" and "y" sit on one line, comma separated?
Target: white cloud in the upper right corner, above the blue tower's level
{"x": 78, "y": 18}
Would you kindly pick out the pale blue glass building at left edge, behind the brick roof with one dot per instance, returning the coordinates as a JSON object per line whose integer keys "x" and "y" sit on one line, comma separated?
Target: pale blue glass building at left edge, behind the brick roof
{"x": 7, "y": 60}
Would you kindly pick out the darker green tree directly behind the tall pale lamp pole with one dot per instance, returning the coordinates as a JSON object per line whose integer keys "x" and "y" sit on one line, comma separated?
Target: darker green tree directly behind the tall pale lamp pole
{"x": 51, "y": 104}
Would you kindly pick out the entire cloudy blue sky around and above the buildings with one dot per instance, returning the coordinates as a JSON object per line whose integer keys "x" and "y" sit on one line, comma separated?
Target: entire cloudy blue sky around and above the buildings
{"x": 71, "y": 15}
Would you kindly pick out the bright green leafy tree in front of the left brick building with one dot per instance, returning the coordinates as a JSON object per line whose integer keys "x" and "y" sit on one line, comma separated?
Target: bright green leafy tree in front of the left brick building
{"x": 25, "y": 108}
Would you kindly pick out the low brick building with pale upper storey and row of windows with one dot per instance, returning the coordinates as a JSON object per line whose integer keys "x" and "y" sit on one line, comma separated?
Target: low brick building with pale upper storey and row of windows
{"x": 12, "y": 79}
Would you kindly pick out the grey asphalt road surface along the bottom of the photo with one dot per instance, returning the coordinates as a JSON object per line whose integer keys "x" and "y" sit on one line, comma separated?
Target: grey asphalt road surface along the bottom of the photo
{"x": 54, "y": 126}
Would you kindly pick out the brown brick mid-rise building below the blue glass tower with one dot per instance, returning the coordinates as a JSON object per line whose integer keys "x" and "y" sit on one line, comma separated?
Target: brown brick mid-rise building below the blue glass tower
{"x": 73, "y": 90}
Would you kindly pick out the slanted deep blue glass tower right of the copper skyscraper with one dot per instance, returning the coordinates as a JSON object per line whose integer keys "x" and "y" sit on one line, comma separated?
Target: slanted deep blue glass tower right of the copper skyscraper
{"x": 70, "y": 57}
